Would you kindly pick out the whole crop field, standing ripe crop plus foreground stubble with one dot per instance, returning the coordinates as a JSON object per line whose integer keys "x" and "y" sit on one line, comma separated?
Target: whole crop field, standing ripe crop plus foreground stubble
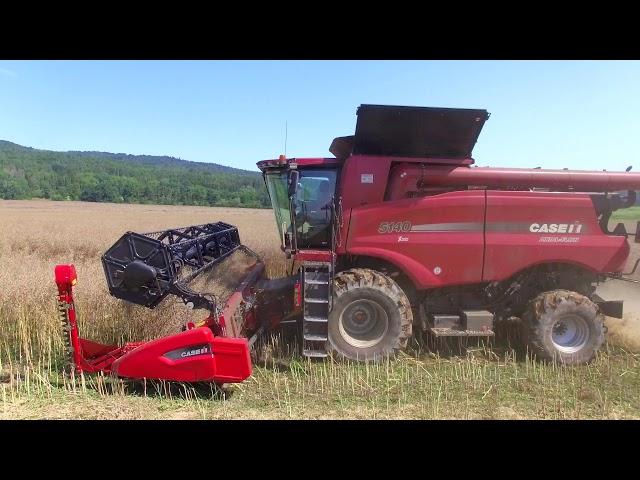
{"x": 481, "y": 383}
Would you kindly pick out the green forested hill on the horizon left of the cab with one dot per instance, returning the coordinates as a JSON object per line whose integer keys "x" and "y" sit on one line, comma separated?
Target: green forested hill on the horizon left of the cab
{"x": 117, "y": 177}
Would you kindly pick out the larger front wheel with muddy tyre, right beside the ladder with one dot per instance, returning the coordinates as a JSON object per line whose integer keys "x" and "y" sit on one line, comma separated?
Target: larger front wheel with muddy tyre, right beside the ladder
{"x": 371, "y": 316}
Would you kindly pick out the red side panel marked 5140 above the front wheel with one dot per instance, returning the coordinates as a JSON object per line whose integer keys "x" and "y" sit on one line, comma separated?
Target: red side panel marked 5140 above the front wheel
{"x": 436, "y": 240}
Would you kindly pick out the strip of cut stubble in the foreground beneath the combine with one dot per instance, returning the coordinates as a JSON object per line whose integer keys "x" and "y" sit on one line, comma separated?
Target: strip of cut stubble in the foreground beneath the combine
{"x": 480, "y": 385}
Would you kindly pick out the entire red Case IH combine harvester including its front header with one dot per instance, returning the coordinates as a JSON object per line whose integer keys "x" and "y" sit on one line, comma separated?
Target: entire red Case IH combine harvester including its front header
{"x": 398, "y": 232}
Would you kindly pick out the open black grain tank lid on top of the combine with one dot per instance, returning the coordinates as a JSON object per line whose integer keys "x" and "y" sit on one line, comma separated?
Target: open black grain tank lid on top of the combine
{"x": 413, "y": 132}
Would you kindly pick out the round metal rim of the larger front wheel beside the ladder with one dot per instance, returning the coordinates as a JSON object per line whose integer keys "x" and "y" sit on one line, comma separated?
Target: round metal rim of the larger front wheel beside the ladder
{"x": 363, "y": 323}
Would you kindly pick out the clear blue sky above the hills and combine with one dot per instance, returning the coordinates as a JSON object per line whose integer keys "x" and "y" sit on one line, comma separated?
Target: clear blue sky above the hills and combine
{"x": 553, "y": 114}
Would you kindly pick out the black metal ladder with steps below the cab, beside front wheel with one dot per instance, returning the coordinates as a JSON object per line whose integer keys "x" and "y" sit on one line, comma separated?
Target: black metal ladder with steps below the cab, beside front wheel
{"x": 316, "y": 304}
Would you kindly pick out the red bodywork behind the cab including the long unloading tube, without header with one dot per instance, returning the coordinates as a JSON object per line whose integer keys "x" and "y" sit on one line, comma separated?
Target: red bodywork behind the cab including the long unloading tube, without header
{"x": 428, "y": 191}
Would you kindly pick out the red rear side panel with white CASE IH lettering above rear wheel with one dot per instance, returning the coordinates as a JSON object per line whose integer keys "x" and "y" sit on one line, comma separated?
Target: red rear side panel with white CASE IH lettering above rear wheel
{"x": 528, "y": 228}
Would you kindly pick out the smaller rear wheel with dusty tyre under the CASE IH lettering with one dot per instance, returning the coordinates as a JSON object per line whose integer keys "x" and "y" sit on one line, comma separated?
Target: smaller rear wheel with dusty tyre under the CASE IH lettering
{"x": 564, "y": 326}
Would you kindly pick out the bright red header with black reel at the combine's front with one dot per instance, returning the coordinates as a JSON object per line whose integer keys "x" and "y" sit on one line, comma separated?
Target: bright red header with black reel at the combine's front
{"x": 144, "y": 269}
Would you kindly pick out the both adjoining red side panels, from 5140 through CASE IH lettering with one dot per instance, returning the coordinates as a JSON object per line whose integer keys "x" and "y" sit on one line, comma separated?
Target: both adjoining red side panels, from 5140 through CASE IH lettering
{"x": 507, "y": 247}
